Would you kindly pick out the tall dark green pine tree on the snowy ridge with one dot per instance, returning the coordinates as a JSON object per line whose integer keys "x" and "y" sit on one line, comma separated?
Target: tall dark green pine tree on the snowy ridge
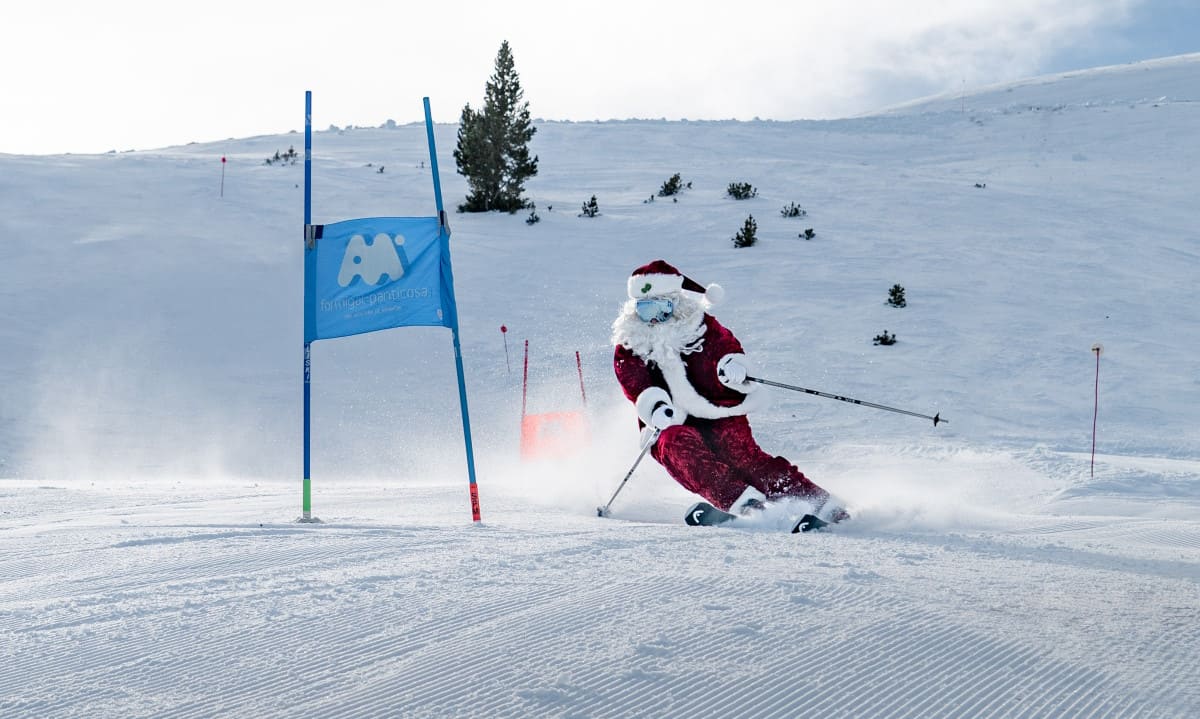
{"x": 494, "y": 145}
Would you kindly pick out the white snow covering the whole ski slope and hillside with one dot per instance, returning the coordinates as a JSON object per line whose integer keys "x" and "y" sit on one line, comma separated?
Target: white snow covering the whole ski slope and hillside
{"x": 151, "y": 426}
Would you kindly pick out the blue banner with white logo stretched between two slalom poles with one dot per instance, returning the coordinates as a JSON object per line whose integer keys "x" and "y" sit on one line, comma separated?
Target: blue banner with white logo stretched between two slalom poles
{"x": 376, "y": 274}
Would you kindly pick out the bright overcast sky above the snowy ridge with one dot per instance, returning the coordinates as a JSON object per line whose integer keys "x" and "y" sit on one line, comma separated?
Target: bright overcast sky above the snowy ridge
{"x": 92, "y": 77}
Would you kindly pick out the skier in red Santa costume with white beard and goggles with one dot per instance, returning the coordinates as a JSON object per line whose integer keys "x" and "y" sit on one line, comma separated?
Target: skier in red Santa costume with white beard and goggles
{"x": 687, "y": 376}
